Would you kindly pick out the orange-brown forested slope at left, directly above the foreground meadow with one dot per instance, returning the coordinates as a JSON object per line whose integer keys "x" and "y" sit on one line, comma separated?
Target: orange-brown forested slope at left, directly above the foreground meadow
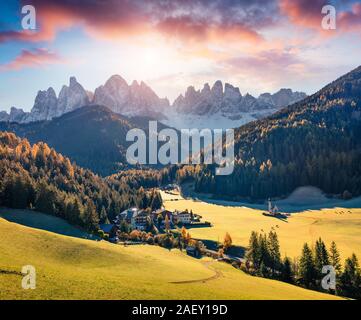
{"x": 36, "y": 176}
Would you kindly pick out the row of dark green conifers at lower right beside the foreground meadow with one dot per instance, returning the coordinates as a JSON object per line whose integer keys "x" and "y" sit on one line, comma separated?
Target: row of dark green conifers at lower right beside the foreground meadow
{"x": 263, "y": 258}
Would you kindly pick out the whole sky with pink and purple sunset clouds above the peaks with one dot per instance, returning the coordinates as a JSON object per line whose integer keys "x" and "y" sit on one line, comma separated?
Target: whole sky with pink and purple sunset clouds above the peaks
{"x": 258, "y": 46}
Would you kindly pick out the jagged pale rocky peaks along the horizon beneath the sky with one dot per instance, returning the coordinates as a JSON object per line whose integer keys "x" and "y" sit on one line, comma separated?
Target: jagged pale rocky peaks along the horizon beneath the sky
{"x": 138, "y": 99}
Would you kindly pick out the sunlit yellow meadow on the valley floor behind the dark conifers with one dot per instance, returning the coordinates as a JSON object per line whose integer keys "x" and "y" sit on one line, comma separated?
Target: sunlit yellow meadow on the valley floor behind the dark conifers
{"x": 340, "y": 225}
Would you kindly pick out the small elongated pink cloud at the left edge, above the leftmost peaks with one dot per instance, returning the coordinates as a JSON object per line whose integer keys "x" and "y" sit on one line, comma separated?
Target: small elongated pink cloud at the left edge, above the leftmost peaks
{"x": 32, "y": 58}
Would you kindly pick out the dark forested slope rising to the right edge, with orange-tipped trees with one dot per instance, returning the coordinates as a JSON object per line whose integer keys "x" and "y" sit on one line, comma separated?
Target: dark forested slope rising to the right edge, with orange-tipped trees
{"x": 314, "y": 142}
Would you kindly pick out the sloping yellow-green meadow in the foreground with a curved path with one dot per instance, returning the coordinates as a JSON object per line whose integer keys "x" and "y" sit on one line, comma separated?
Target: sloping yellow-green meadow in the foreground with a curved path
{"x": 74, "y": 268}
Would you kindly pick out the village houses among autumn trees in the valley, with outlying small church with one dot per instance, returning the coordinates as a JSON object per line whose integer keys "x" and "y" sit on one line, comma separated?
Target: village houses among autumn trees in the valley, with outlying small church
{"x": 169, "y": 229}
